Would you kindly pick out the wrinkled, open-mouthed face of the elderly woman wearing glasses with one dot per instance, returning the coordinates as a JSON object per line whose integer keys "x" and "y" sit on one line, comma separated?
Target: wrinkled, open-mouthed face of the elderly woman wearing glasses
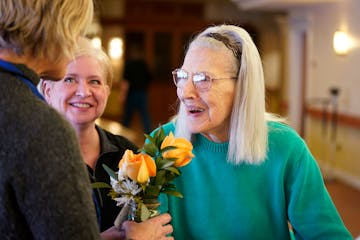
{"x": 208, "y": 112}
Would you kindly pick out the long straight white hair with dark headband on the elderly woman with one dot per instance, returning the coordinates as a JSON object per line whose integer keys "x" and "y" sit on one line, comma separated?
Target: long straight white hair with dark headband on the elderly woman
{"x": 248, "y": 133}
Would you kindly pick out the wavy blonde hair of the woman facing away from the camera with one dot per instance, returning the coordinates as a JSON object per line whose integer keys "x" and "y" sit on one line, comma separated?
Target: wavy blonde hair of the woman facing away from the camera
{"x": 43, "y": 28}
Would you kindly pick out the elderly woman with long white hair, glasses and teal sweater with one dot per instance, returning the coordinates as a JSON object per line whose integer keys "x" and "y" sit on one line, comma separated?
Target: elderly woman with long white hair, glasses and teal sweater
{"x": 252, "y": 174}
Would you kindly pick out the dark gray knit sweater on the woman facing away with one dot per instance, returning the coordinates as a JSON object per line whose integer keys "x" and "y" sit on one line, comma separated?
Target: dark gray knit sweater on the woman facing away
{"x": 44, "y": 187}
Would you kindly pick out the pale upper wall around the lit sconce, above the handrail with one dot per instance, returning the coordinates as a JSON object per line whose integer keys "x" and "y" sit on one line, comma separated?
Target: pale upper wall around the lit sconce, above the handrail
{"x": 328, "y": 69}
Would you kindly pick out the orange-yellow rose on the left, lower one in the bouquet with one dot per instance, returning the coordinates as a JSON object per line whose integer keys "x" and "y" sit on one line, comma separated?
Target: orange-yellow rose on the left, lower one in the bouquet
{"x": 139, "y": 167}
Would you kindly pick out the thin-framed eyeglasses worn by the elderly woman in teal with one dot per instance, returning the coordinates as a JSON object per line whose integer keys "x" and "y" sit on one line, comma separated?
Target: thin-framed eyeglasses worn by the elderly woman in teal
{"x": 201, "y": 80}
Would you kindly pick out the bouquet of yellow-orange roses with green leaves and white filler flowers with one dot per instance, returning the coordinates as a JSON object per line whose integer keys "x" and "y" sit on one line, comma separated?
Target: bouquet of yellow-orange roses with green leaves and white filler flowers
{"x": 143, "y": 176}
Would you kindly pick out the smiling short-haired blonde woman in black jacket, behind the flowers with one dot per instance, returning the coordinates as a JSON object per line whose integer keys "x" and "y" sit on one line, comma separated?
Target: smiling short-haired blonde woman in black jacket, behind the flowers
{"x": 81, "y": 97}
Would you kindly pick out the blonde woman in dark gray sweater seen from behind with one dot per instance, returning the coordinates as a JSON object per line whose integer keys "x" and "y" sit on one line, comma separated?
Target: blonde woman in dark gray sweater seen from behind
{"x": 44, "y": 188}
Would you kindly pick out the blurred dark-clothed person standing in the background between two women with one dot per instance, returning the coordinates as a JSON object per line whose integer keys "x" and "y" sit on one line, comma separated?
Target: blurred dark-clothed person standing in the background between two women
{"x": 136, "y": 77}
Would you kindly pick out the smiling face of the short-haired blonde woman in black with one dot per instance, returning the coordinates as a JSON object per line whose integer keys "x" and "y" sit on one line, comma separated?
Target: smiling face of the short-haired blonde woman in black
{"x": 81, "y": 96}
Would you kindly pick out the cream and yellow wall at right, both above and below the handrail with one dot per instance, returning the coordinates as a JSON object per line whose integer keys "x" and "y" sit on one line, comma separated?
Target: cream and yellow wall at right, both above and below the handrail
{"x": 326, "y": 70}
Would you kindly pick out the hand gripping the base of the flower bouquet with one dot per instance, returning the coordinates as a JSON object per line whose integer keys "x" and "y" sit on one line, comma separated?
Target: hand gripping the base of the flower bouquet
{"x": 156, "y": 228}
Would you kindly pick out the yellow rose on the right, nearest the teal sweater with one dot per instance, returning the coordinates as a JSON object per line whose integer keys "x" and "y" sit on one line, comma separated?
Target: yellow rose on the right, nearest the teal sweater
{"x": 182, "y": 152}
